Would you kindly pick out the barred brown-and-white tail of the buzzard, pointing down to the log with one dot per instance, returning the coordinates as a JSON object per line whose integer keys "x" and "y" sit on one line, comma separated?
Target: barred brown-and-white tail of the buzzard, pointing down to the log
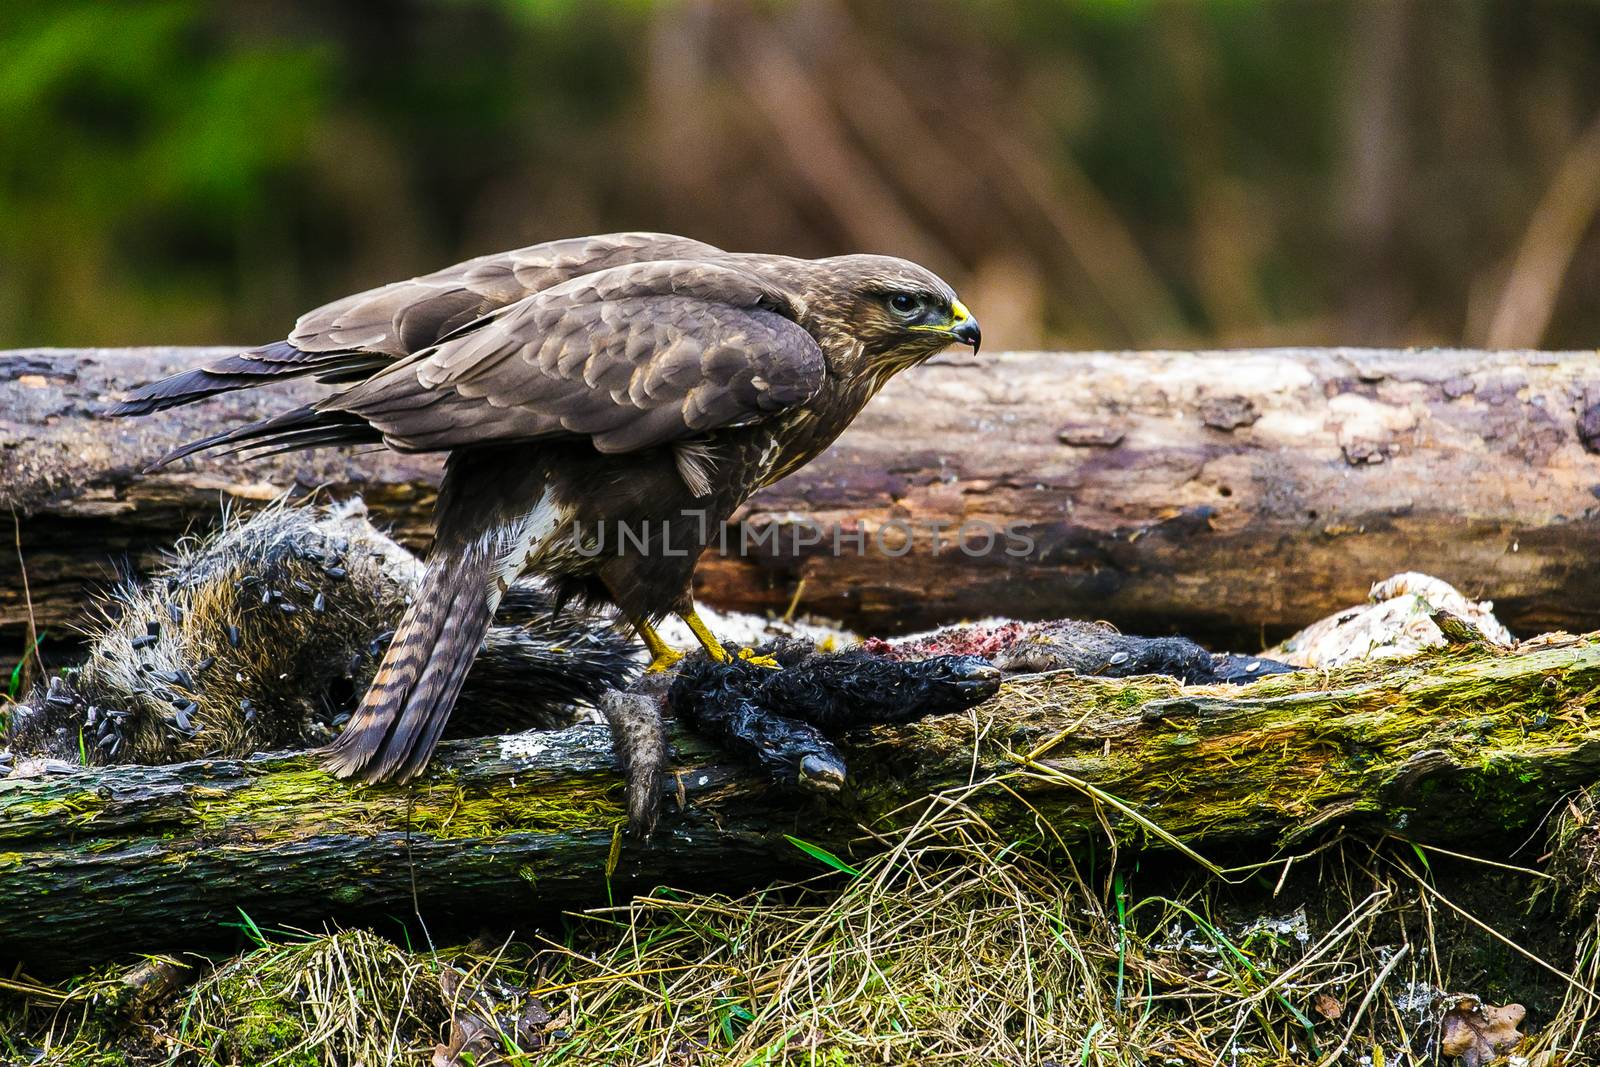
{"x": 401, "y": 719}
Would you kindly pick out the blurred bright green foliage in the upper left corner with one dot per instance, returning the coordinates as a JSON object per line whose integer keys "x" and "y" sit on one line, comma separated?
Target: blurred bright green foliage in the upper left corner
{"x": 138, "y": 143}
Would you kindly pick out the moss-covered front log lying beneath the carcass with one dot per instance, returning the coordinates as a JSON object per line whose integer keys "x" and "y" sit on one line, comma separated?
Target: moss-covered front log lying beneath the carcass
{"x": 1466, "y": 746}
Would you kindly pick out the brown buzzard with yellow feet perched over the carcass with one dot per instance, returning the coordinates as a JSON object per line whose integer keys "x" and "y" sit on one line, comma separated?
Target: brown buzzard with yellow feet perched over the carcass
{"x": 606, "y": 404}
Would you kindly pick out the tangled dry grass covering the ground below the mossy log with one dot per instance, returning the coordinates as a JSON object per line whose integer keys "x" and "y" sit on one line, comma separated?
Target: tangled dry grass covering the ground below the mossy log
{"x": 954, "y": 946}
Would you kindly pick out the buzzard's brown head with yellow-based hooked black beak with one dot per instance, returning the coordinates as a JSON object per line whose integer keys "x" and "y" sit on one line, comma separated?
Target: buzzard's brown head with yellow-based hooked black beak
{"x": 890, "y": 314}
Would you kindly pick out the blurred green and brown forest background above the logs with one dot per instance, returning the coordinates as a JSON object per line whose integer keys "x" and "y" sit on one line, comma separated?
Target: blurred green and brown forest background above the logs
{"x": 1098, "y": 174}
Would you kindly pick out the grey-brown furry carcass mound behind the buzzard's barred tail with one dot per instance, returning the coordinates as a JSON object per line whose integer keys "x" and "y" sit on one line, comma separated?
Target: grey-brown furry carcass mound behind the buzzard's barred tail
{"x": 265, "y": 633}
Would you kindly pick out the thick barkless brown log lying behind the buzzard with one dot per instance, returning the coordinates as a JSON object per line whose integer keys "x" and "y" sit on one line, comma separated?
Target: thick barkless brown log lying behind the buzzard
{"x": 1223, "y": 495}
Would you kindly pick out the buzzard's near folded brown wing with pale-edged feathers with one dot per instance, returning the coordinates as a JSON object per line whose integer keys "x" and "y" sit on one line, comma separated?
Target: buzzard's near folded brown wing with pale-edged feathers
{"x": 631, "y": 358}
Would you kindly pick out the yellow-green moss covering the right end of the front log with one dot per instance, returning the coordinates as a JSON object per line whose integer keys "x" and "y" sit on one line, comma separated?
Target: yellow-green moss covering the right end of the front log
{"x": 1326, "y": 743}
